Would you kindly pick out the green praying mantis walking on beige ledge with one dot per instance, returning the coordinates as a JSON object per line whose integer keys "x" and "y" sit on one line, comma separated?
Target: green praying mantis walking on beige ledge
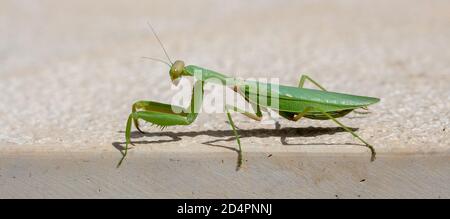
{"x": 292, "y": 103}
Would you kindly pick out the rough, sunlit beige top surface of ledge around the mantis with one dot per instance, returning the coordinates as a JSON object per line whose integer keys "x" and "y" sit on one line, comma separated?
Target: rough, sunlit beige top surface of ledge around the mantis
{"x": 69, "y": 72}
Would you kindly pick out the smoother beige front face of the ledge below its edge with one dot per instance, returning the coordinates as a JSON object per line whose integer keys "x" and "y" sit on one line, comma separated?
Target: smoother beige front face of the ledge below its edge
{"x": 165, "y": 175}
